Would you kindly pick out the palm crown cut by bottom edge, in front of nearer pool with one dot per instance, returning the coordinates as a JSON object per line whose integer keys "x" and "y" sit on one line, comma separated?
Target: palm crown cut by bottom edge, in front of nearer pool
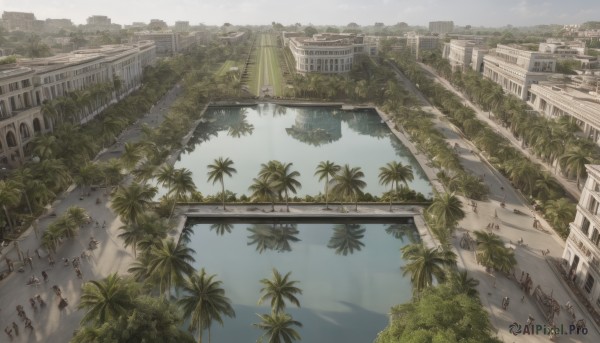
{"x": 278, "y": 327}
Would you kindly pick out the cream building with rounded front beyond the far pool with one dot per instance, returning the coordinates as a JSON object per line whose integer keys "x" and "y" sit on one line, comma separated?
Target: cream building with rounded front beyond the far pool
{"x": 327, "y": 53}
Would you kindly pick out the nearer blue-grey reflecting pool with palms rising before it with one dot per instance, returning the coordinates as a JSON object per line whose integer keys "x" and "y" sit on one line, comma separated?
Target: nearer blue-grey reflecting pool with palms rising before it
{"x": 349, "y": 274}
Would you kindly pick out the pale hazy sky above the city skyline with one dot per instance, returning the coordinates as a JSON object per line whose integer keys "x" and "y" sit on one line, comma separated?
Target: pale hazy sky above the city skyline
{"x": 318, "y": 12}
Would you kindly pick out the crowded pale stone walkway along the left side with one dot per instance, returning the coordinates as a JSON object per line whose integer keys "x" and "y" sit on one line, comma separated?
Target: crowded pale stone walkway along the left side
{"x": 50, "y": 323}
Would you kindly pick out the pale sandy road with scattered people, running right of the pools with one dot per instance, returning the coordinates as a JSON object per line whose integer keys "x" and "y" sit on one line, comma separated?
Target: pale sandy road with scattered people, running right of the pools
{"x": 513, "y": 227}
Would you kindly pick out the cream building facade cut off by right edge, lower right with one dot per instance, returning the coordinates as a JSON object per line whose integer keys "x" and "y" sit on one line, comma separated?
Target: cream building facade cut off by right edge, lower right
{"x": 581, "y": 256}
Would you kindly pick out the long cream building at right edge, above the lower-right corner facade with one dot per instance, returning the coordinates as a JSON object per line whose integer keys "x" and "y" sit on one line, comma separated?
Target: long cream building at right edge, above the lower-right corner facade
{"x": 576, "y": 97}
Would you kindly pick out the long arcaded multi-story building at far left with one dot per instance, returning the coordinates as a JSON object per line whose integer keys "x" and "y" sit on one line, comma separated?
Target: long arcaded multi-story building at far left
{"x": 25, "y": 88}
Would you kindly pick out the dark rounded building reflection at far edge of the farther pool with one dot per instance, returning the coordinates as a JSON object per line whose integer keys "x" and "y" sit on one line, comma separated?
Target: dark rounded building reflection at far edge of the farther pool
{"x": 315, "y": 126}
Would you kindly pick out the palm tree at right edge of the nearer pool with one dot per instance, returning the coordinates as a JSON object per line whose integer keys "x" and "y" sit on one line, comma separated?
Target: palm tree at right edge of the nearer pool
{"x": 424, "y": 264}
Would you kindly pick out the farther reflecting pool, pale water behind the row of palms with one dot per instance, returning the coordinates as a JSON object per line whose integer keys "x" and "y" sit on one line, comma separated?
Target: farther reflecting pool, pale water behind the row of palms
{"x": 304, "y": 136}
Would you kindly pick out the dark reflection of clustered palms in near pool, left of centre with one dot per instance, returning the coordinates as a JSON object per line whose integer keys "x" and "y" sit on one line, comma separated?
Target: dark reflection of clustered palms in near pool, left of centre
{"x": 276, "y": 237}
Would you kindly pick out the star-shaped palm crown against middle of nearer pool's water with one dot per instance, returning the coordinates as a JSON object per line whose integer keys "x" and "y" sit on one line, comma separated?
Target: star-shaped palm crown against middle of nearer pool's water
{"x": 278, "y": 289}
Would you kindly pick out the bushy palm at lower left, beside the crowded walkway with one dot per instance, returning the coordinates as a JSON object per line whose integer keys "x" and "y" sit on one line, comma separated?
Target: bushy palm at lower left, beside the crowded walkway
{"x": 106, "y": 299}
